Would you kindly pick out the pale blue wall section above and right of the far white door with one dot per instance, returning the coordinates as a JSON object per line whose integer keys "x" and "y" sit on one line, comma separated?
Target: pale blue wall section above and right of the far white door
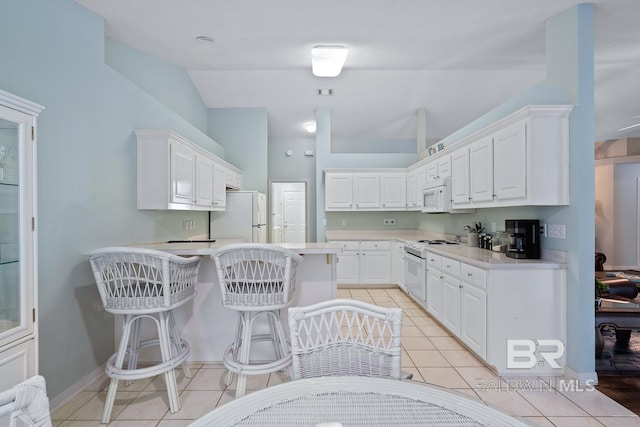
{"x": 296, "y": 168}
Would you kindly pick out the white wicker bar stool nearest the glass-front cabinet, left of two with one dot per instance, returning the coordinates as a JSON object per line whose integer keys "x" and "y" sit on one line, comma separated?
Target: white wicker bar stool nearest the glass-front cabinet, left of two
{"x": 144, "y": 284}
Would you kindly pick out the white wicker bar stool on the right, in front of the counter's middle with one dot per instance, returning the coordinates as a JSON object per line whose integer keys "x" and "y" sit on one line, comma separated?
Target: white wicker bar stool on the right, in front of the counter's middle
{"x": 256, "y": 280}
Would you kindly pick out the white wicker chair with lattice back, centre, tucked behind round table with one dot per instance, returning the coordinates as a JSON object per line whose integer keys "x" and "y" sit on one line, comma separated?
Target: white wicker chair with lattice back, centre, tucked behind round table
{"x": 345, "y": 337}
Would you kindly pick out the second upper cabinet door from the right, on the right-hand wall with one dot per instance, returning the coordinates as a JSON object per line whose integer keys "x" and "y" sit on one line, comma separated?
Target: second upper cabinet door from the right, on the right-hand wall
{"x": 481, "y": 170}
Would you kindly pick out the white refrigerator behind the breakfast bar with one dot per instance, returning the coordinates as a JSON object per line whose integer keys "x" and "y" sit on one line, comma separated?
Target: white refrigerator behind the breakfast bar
{"x": 245, "y": 218}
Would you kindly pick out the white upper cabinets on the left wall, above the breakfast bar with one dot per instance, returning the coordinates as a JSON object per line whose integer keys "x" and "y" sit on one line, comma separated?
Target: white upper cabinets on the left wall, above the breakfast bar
{"x": 176, "y": 174}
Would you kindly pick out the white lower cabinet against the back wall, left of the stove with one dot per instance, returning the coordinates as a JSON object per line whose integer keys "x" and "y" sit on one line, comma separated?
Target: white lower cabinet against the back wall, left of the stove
{"x": 366, "y": 262}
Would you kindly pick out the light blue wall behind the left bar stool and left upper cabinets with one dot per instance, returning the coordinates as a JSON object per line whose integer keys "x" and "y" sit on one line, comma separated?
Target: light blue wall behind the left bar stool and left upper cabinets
{"x": 53, "y": 54}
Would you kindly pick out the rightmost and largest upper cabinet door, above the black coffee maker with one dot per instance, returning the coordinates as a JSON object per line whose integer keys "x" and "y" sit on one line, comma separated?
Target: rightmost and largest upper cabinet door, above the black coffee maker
{"x": 510, "y": 172}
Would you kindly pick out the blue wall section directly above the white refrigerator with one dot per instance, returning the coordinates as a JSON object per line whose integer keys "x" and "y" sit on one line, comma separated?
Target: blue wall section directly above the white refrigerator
{"x": 243, "y": 133}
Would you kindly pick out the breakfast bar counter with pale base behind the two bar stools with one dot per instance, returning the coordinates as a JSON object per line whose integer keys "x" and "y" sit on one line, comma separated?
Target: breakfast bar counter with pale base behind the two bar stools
{"x": 208, "y": 326}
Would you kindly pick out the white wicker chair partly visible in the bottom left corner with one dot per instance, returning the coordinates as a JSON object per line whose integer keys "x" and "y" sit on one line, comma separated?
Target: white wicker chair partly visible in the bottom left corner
{"x": 27, "y": 403}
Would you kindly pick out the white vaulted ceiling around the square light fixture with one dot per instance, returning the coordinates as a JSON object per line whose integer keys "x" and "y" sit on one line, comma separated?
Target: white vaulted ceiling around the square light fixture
{"x": 457, "y": 59}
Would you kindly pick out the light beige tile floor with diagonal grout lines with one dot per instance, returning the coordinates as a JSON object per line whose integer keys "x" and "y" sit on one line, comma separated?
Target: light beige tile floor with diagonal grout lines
{"x": 429, "y": 352}
